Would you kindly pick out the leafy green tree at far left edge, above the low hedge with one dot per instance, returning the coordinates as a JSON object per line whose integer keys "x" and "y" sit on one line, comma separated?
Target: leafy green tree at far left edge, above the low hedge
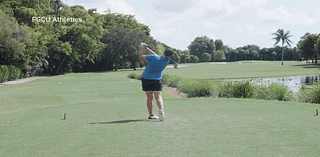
{"x": 15, "y": 43}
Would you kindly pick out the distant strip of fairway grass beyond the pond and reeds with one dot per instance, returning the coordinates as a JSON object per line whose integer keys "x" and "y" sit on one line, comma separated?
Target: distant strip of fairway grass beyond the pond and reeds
{"x": 249, "y": 69}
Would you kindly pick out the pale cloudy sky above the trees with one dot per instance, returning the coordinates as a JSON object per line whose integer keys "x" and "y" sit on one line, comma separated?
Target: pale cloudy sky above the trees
{"x": 236, "y": 22}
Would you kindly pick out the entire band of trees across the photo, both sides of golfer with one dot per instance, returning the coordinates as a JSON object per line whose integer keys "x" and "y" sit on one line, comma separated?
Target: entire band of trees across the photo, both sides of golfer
{"x": 81, "y": 40}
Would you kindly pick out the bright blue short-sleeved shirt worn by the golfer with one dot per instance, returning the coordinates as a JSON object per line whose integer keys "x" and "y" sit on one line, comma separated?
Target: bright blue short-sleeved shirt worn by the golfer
{"x": 155, "y": 66}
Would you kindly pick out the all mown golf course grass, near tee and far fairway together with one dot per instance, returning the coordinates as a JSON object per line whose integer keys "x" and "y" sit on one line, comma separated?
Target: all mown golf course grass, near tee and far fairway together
{"x": 105, "y": 114}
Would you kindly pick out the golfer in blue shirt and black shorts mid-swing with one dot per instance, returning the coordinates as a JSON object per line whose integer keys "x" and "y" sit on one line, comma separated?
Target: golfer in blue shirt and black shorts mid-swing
{"x": 151, "y": 78}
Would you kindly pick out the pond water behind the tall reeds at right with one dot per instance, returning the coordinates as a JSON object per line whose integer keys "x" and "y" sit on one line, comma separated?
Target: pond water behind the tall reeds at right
{"x": 293, "y": 82}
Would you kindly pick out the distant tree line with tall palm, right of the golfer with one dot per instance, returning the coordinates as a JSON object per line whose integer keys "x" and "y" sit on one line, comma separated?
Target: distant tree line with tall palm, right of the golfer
{"x": 308, "y": 48}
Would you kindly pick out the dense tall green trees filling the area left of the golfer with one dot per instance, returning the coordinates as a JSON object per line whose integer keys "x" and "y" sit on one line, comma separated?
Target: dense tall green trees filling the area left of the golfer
{"x": 49, "y": 37}
